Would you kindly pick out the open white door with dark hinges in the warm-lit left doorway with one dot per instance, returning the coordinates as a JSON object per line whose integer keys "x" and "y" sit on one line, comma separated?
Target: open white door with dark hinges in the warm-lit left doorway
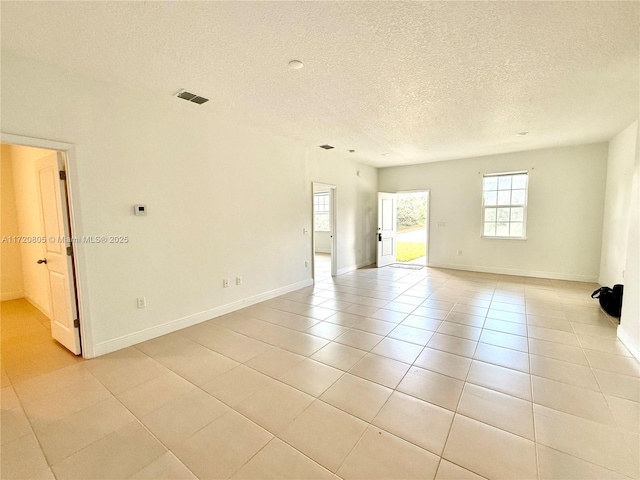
{"x": 58, "y": 261}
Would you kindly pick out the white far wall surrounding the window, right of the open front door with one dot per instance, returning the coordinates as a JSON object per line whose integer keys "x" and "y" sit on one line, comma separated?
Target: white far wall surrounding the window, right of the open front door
{"x": 564, "y": 219}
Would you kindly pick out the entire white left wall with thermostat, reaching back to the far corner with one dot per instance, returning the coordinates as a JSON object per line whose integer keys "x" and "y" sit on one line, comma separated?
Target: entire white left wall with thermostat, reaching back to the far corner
{"x": 222, "y": 201}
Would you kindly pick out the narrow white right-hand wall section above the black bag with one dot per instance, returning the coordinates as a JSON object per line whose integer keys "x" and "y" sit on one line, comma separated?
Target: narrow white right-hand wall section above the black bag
{"x": 617, "y": 205}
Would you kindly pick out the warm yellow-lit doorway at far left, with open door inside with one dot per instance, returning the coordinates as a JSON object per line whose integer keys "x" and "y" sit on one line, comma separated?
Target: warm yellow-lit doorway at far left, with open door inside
{"x": 40, "y": 328}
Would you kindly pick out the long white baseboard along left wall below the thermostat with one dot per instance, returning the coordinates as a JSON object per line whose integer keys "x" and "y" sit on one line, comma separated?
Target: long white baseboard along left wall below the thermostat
{"x": 134, "y": 338}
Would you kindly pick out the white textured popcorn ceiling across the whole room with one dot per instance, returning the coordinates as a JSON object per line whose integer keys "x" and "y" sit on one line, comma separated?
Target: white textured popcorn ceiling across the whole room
{"x": 419, "y": 81}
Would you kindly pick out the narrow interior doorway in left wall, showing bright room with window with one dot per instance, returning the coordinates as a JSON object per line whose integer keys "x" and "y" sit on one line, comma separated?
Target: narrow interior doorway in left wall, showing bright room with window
{"x": 324, "y": 239}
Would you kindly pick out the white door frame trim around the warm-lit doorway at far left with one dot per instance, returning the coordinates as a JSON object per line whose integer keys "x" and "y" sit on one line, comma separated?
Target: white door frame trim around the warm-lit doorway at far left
{"x": 67, "y": 151}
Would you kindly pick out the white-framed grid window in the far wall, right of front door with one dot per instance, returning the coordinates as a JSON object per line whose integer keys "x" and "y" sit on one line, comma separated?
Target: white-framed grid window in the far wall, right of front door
{"x": 504, "y": 205}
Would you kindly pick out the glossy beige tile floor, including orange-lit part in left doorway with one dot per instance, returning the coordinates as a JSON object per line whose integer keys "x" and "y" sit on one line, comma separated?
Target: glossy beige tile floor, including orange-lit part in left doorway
{"x": 387, "y": 373}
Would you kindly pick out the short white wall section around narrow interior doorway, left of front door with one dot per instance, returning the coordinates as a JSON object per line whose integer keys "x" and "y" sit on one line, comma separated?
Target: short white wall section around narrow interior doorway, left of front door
{"x": 356, "y": 201}
